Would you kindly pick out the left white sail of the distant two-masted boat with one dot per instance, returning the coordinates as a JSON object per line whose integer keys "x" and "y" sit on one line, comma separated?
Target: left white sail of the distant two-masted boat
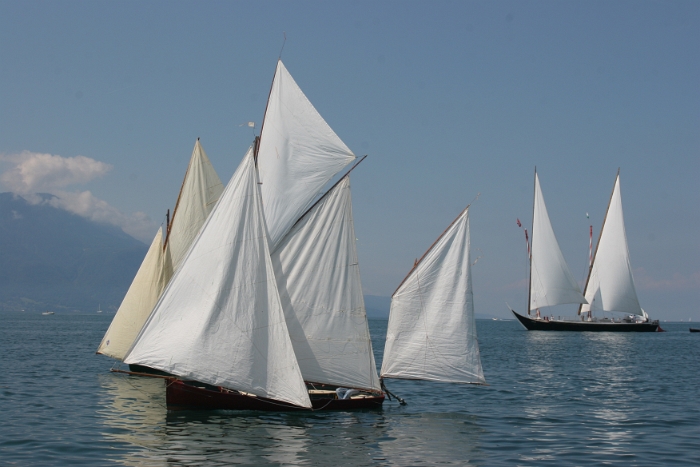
{"x": 551, "y": 281}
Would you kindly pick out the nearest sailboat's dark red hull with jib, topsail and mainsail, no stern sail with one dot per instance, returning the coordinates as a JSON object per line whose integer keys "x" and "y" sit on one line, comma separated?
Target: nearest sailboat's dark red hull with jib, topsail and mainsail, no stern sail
{"x": 266, "y": 310}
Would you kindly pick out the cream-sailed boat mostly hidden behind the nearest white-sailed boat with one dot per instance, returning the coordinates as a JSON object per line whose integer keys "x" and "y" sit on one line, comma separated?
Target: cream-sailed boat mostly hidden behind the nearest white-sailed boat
{"x": 201, "y": 188}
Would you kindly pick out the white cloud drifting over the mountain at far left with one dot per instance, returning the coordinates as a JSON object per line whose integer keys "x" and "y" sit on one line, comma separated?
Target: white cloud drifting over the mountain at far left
{"x": 32, "y": 173}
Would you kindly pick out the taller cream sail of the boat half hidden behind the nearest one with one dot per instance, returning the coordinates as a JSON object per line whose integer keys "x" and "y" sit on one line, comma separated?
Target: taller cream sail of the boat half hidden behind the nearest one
{"x": 200, "y": 191}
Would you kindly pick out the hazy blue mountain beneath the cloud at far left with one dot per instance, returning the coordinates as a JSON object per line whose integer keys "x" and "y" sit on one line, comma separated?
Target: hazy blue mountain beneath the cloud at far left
{"x": 52, "y": 259}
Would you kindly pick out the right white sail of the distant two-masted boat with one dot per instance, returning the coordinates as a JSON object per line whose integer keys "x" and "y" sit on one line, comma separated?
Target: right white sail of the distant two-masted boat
{"x": 611, "y": 284}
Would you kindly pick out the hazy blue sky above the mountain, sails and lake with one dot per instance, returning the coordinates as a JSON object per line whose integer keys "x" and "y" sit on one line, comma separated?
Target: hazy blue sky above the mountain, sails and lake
{"x": 101, "y": 103}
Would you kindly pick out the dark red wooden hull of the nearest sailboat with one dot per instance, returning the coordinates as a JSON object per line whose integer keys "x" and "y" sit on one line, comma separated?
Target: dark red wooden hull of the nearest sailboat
{"x": 190, "y": 395}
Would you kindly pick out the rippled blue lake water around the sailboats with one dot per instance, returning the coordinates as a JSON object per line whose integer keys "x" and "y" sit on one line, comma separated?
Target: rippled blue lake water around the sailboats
{"x": 554, "y": 399}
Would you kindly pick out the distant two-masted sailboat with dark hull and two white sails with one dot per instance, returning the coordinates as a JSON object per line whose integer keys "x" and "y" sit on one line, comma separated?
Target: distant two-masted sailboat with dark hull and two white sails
{"x": 609, "y": 286}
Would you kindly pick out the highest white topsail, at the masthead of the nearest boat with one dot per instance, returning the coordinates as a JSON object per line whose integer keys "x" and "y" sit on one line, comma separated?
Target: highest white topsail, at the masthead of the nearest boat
{"x": 299, "y": 153}
